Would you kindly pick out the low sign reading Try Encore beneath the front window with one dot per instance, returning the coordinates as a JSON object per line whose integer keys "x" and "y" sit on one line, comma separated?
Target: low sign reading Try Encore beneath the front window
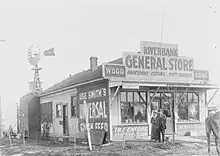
{"x": 130, "y": 132}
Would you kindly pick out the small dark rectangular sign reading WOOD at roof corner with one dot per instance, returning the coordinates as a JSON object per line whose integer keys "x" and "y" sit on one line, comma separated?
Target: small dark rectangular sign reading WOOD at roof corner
{"x": 113, "y": 70}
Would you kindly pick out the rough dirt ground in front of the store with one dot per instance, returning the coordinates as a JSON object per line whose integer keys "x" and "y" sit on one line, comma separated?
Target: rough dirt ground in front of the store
{"x": 146, "y": 148}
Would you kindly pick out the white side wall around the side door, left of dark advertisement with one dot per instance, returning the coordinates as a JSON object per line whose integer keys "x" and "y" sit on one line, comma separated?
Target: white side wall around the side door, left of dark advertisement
{"x": 63, "y": 98}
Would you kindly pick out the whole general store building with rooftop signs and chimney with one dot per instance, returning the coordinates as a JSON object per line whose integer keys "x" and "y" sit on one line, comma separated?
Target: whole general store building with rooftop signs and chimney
{"x": 121, "y": 95}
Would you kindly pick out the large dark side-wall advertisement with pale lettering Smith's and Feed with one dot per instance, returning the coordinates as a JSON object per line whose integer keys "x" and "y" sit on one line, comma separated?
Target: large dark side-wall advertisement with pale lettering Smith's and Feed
{"x": 97, "y": 102}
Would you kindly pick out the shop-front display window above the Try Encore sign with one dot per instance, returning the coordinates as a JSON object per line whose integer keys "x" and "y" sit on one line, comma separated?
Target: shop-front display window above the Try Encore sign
{"x": 133, "y": 107}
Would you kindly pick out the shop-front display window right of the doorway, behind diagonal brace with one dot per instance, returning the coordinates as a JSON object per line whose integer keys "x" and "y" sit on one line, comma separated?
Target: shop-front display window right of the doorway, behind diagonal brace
{"x": 188, "y": 108}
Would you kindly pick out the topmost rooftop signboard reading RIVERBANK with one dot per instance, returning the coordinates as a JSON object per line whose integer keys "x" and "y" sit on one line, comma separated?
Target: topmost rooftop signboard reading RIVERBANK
{"x": 158, "y": 49}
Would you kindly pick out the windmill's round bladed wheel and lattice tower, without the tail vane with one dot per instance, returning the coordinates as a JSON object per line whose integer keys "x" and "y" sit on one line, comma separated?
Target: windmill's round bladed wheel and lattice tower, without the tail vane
{"x": 34, "y": 58}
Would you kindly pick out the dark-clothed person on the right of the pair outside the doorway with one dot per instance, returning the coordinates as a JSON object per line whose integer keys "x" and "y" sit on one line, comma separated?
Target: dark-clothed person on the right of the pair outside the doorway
{"x": 160, "y": 125}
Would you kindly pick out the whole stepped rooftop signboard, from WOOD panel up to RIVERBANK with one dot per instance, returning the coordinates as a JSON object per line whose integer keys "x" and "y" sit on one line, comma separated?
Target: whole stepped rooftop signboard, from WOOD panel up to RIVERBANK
{"x": 155, "y": 63}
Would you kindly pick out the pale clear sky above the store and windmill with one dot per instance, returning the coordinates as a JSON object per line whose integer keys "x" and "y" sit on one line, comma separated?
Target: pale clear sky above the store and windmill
{"x": 101, "y": 28}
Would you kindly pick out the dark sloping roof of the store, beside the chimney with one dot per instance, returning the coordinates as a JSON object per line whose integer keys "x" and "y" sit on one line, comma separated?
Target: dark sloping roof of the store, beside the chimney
{"x": 78, "y": 78}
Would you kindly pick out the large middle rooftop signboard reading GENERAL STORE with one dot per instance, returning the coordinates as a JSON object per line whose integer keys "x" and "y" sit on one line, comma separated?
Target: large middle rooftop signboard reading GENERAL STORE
{"x": 158, "y": 68}
